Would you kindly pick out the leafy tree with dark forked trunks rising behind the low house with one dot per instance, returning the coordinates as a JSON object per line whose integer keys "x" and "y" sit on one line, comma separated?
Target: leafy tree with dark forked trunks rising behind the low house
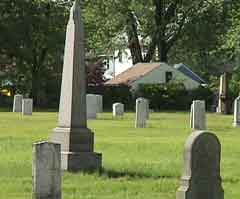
{"x": 151, "y": 28}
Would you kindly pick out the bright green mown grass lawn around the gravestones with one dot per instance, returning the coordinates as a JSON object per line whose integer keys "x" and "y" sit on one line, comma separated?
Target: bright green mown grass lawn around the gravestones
{"x": 138, "y": 163}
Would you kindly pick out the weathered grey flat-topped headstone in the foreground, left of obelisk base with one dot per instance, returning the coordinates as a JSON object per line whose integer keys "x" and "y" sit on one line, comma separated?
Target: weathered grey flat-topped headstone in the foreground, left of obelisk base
{"x": 47, "y": 171}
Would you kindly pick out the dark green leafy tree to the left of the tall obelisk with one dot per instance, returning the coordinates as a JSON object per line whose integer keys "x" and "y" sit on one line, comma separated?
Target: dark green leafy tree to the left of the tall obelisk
{"x": 32, "y": 41}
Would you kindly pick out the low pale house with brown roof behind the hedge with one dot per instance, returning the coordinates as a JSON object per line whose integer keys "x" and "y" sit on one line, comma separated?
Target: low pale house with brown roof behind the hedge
{"x": 157, "y": 73}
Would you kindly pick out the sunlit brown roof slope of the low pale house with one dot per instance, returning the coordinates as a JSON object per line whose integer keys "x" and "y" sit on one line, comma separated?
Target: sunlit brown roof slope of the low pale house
{"x": 134, "y": 73}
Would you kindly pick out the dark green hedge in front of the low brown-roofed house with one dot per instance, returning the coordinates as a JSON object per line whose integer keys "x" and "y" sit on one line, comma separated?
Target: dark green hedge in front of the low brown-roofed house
{"x": 173, "y": 96}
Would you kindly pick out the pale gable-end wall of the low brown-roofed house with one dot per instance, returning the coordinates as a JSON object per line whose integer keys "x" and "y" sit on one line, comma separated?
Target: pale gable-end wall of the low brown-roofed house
{"x": 158, "y": 75}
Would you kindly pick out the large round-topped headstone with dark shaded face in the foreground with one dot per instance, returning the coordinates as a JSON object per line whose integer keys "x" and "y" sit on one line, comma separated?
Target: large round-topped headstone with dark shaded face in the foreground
{"x": 201, "y": 177}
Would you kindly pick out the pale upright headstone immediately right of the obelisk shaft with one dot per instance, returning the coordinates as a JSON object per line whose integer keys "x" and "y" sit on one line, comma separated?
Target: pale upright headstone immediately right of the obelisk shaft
{"x": 91, "y": 100}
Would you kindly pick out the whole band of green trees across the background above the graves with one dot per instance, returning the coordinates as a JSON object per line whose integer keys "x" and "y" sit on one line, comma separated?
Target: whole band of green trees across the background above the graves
{"x": 202, "y": 34}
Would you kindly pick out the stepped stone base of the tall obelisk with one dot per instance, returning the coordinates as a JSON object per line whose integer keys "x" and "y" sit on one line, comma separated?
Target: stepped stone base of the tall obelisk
{"x": 77, "y": 149}
